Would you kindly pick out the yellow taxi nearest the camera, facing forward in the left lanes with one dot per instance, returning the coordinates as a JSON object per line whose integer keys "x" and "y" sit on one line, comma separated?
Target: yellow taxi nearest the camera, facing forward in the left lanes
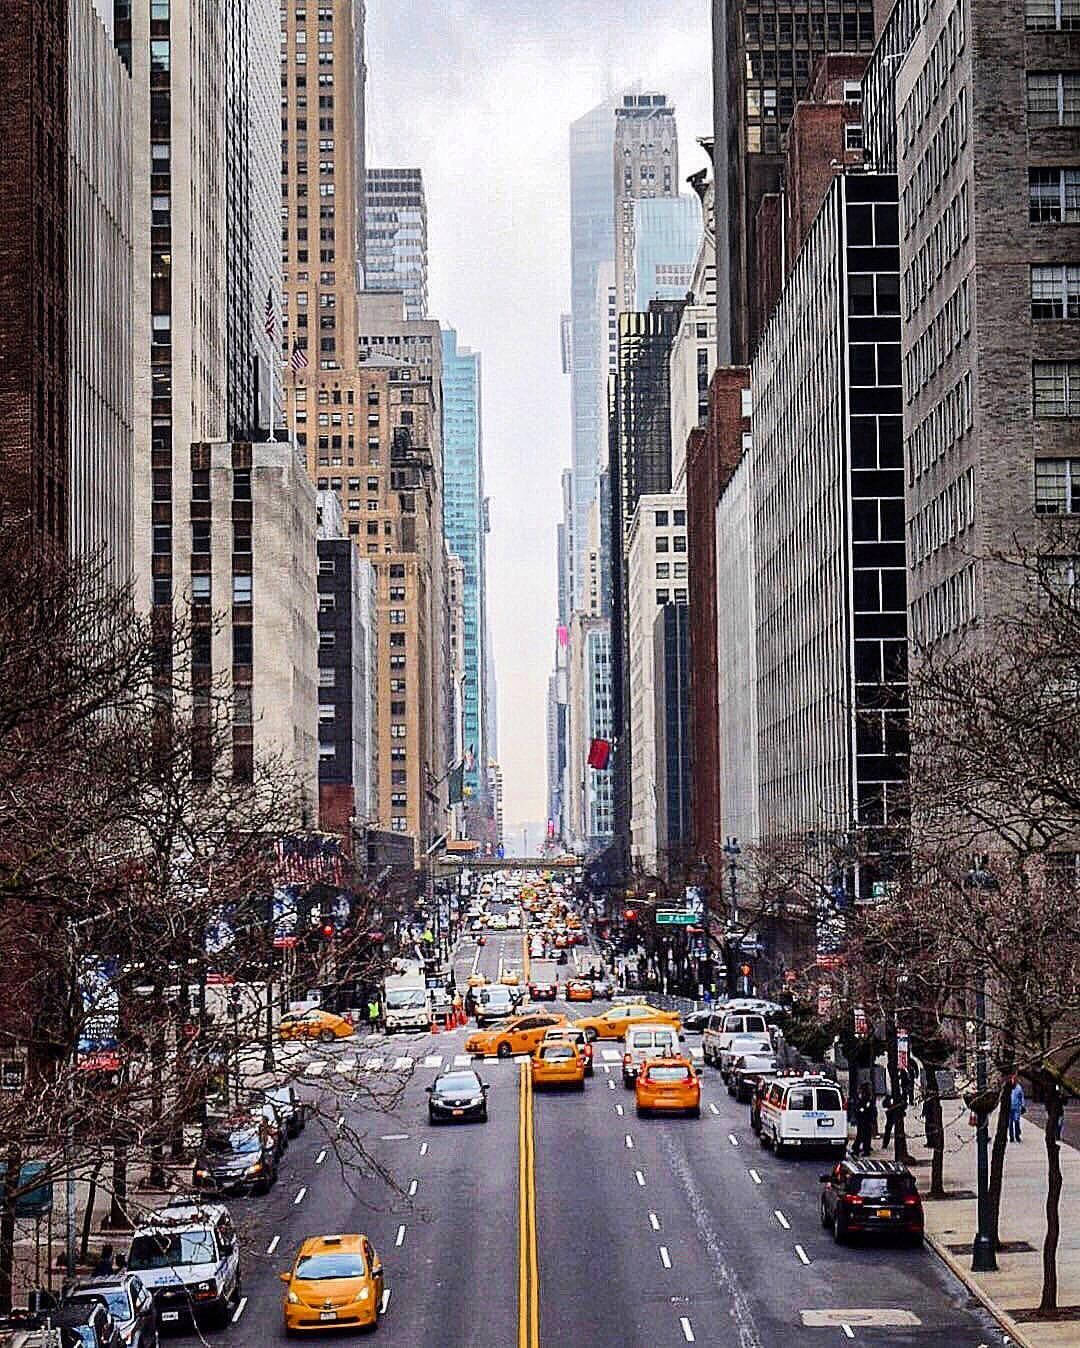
{"x": 336, "y": 1283}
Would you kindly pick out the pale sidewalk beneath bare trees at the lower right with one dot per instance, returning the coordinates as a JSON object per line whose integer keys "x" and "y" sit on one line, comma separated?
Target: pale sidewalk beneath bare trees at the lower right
{"x": 1017, "y": 1287}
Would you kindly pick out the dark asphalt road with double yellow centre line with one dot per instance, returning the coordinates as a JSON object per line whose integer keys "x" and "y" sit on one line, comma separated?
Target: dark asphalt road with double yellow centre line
{"x": 649, "y": 1233}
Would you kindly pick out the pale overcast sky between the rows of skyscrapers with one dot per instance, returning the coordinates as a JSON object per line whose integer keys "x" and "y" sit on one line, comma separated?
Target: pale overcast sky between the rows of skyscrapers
{"x": 481, "y": 95}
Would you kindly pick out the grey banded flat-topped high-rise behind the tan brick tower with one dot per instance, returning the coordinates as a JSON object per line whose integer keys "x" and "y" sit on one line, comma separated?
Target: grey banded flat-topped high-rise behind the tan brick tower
{"x": 396, "y": 231}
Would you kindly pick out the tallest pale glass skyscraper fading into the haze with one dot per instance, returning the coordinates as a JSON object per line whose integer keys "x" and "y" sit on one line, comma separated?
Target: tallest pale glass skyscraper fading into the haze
{"x": 593, "y": 245}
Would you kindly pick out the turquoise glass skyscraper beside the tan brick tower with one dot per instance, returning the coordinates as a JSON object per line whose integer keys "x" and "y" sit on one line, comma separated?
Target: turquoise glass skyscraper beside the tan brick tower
{"x": 464, "y": 526}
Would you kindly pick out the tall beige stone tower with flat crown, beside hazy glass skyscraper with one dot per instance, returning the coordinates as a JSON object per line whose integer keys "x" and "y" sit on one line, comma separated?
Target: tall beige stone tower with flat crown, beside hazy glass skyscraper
{"x": 645, "y": 160}
